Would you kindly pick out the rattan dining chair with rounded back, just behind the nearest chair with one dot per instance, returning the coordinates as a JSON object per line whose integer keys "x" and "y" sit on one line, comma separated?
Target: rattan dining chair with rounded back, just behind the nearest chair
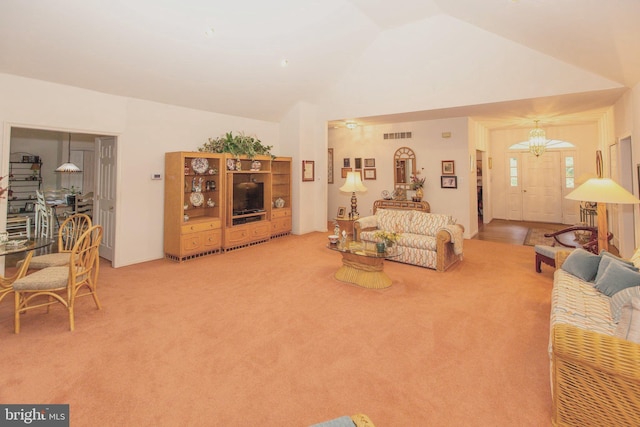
{"x": 70, "y": 230}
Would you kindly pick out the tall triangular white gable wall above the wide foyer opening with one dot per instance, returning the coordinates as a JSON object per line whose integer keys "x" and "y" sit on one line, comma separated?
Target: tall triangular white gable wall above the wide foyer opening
{"x": 467, "y": 66}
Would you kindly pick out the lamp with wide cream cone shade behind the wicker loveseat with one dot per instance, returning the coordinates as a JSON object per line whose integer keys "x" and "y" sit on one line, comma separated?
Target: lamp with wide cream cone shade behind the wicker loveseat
{"x": 602, "y": 191}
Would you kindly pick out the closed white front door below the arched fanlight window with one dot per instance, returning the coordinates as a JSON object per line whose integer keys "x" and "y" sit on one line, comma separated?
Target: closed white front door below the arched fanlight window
{"x": 542, "y": 188}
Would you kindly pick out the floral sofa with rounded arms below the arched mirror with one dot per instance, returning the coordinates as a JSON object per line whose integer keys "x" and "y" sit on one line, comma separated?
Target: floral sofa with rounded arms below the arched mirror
{"x": 427, "y": 239}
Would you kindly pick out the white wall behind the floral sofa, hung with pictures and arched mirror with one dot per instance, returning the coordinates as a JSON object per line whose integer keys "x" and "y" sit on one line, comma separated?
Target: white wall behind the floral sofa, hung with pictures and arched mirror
{"x": 430, "y": 149}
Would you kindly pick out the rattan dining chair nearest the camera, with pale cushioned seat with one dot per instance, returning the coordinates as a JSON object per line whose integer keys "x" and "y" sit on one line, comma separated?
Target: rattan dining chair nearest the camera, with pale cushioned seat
{"x": 62, "y": 284}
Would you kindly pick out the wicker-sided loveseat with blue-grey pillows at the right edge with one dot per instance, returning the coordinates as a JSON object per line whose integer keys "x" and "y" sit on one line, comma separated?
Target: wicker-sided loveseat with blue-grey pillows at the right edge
{"x": 594, "y": 342}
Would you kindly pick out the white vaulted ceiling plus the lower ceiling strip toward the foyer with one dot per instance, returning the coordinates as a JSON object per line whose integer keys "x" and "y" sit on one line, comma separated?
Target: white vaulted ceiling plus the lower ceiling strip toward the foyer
{"x": 161, "y": 50}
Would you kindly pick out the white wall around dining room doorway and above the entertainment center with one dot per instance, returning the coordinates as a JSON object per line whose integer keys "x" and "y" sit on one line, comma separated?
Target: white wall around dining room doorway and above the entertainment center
{"x": 145, "y": 131}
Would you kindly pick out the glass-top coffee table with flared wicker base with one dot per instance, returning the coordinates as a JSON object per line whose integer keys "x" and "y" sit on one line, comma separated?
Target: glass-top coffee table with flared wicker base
{"x": 362, "y": 264}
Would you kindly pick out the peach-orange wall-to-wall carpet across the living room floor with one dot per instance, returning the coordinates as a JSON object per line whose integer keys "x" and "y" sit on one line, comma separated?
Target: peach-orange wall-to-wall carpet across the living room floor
{"x": 266, "y": 336}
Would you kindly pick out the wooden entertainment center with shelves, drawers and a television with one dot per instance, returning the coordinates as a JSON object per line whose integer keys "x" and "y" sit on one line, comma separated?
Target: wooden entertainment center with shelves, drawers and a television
{"x": 219, "y": 202}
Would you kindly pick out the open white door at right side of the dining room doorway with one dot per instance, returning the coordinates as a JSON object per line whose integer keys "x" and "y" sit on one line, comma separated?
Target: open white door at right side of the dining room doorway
{"x": 105, "y": 197}
